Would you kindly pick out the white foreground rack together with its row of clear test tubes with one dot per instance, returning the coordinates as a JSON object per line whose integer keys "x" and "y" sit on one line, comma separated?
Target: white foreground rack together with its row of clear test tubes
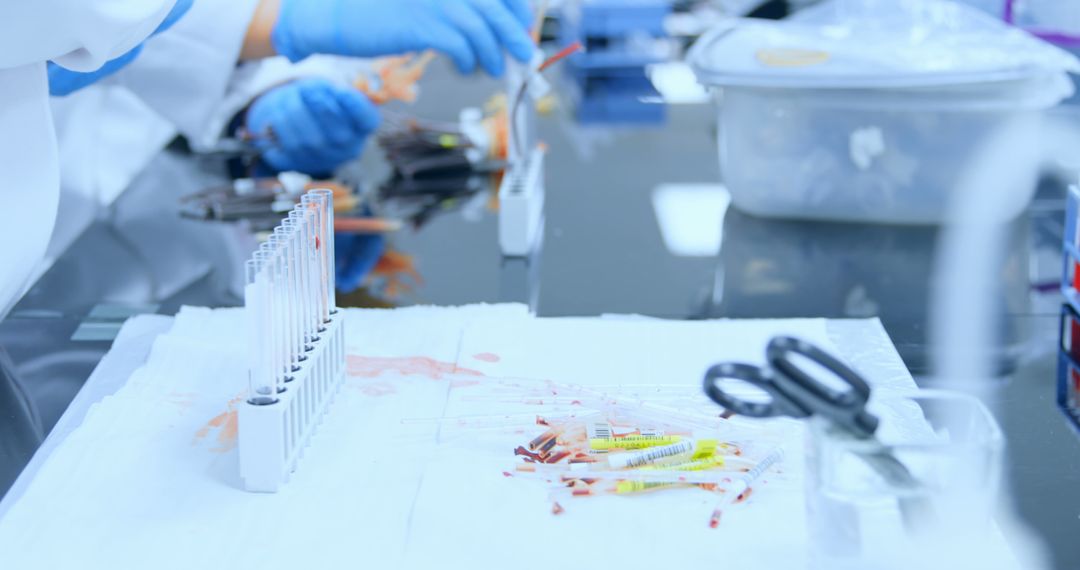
{"x": 296, "y": 344}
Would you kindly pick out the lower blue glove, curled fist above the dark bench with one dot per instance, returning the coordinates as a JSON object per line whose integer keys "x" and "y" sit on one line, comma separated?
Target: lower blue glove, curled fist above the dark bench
{"x": 317, "y": 126}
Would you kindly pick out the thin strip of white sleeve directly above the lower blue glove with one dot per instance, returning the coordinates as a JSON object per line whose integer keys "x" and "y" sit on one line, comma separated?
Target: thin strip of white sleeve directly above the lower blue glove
{"x": 254, "y": 79}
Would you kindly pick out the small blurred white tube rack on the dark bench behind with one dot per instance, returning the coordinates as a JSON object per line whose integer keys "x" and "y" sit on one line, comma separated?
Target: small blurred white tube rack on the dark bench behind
{"x": 521, "y": 206}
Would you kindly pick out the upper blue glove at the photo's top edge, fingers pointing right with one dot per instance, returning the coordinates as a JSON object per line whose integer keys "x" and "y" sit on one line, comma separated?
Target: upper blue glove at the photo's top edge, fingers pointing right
{"x": 470, "y": 32}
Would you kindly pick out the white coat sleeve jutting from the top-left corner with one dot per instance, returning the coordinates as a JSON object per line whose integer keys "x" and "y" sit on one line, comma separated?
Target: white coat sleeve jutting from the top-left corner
{"x": 79, "y": 35}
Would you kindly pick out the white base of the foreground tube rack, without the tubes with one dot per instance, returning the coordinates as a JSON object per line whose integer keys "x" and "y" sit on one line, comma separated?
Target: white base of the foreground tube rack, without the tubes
{"x": 273, "y": 438}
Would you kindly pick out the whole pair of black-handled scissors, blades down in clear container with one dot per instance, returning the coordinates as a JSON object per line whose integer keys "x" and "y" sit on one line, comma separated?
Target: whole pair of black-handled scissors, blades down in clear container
{"x": 796, "y": 392}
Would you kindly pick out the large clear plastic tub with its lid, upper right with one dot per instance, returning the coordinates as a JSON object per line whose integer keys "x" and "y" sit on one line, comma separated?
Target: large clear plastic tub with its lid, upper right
{"x": 872, "y": 111}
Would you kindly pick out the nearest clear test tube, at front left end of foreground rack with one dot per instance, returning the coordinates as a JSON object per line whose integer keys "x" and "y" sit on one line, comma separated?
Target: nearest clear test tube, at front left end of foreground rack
{"x": 262, "y": 382}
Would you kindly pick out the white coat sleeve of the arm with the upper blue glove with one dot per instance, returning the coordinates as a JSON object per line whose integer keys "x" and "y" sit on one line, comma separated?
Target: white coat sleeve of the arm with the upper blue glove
{"x": 185, "y": 74}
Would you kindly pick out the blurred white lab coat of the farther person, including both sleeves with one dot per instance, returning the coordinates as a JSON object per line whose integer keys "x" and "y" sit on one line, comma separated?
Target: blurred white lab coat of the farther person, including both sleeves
{"x": 185, "y": 83}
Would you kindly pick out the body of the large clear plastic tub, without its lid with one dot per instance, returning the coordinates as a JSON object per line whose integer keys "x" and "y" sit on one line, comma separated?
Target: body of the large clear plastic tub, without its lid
{"x": 880, "y": 156}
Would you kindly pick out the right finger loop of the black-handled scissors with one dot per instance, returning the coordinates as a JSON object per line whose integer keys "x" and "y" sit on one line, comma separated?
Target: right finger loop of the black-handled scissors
{"x": 845, "y": 408}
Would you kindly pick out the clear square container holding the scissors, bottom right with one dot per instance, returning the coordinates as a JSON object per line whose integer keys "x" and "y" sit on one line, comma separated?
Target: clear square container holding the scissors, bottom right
{"x": 954, "y": 450}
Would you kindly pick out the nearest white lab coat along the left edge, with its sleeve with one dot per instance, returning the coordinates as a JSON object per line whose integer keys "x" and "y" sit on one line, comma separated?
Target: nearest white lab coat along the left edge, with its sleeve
{"x": 80, "y": 35}
